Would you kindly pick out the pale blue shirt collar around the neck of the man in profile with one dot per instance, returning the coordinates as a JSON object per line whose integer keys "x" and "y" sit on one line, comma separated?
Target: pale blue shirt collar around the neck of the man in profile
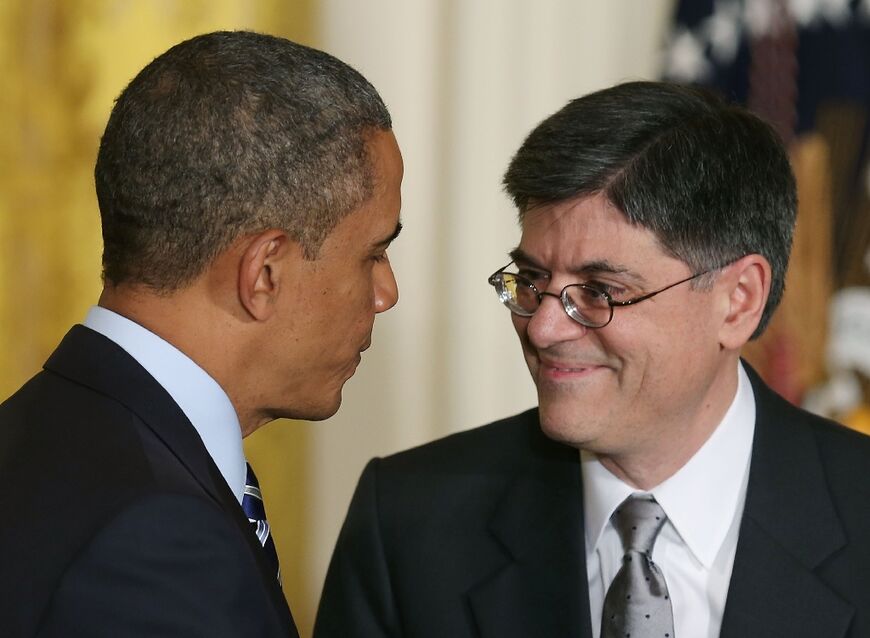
{"x": 198, "y": 395}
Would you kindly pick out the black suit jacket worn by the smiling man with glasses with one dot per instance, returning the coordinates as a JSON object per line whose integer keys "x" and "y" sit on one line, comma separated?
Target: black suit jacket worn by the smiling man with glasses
{"x": 481, "y": 534}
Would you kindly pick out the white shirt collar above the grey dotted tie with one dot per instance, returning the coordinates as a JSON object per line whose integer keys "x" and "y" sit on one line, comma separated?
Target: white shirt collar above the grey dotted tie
{"x": 701, "y": 498}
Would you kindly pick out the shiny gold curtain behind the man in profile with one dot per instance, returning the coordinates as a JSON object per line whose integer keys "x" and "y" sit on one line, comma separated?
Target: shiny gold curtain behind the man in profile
{"x": 62, "y": 64}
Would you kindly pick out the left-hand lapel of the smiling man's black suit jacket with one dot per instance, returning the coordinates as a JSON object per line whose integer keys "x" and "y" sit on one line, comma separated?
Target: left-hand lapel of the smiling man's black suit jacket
{"x": 541, "y": 590}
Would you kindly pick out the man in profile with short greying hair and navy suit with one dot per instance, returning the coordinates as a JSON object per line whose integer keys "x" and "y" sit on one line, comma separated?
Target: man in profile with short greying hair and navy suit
{"x": 249, "y": 188}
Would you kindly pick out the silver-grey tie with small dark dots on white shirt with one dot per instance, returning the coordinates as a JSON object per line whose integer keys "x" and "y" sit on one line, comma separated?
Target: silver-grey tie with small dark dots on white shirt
{"x": 637, "y": 604}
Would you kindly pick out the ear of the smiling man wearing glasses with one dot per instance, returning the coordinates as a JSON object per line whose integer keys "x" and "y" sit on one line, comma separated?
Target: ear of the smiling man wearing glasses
{"x": 747, "y": 286}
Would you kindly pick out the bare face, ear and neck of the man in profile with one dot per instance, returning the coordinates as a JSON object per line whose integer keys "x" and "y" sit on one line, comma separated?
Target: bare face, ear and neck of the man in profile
{"x": 280, "y": 333}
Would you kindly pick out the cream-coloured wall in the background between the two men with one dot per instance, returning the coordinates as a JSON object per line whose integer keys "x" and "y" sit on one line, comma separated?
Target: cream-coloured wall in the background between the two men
{"x": 465, "y": 81}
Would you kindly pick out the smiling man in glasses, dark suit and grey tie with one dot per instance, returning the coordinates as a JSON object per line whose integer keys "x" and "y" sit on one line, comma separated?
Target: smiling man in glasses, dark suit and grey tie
{"x": 659, "y": 488}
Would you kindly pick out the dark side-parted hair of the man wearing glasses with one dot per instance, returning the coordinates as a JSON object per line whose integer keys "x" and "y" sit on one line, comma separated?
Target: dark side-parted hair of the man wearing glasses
{"x": 709, "y": 179}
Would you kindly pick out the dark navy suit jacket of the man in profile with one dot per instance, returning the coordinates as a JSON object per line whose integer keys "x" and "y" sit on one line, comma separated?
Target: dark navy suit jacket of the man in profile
{"x": 115, "y": 520}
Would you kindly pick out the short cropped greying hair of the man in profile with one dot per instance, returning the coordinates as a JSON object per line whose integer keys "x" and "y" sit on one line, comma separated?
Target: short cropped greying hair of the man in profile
{"x": 226, "y": 134}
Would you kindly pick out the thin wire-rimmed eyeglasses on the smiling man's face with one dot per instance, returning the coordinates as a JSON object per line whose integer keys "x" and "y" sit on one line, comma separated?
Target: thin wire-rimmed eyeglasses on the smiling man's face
{"x": 584, "y": 303}
